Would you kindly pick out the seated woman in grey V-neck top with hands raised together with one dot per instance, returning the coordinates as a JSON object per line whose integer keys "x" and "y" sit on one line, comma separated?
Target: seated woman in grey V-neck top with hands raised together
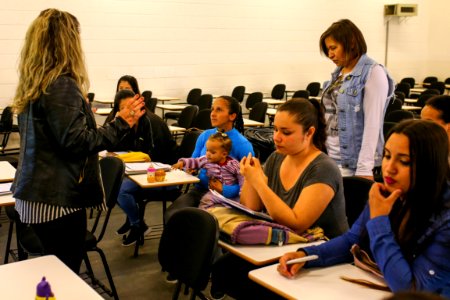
{"x": 299, "y": 187}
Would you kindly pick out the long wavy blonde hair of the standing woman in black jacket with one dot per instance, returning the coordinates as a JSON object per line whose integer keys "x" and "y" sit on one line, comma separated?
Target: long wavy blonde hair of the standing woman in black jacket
{"x": 52, "y": 48}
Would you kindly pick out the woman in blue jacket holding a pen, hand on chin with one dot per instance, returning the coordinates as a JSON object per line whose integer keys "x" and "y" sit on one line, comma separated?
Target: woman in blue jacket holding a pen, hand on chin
{"x": 405, "y": 227}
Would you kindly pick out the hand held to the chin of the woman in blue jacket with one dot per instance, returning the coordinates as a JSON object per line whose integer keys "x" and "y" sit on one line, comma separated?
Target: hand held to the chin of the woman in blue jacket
{"x": 381, "y": 205}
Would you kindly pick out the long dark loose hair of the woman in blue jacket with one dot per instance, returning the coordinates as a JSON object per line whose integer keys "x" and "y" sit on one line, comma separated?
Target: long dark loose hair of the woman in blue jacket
{"x": 428, "y": 150}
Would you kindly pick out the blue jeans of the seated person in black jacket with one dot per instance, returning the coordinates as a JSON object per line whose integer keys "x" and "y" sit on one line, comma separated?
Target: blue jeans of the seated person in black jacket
{"x": 130, "y": 194}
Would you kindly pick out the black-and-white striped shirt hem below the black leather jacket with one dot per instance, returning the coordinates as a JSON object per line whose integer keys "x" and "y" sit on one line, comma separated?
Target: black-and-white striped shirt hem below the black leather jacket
{"x": 36, "y": 212}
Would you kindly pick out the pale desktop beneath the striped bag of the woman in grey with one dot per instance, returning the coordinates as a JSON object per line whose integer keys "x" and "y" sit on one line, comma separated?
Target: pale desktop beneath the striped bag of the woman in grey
{"x": 263, "y": 254}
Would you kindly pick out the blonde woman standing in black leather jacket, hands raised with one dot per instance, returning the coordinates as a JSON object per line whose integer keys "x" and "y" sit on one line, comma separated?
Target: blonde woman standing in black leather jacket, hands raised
{"x": 58, "y": 174}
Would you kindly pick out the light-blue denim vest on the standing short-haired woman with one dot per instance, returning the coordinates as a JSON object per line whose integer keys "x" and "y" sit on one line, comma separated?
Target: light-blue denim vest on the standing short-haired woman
{"x": 351, "y": 113}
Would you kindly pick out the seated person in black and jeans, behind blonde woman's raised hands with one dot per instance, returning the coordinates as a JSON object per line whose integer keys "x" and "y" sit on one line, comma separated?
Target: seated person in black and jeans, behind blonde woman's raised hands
{"x": 152, "y": 136}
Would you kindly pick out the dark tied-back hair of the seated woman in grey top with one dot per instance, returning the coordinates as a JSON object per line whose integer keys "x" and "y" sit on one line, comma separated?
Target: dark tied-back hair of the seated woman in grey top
{"x": 308, "y": 113}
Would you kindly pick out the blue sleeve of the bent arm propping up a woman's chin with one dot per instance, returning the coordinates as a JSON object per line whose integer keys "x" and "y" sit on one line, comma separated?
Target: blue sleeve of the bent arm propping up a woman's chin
{"x": 430, "y": 270}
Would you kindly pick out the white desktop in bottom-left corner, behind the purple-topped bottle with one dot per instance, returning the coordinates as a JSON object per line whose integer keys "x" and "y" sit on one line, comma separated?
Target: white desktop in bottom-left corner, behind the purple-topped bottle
{"x": 21, "y": 278}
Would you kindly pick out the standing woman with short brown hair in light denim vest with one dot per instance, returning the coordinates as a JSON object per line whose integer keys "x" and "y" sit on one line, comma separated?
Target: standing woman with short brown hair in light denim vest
{"x": 355, "y": 101}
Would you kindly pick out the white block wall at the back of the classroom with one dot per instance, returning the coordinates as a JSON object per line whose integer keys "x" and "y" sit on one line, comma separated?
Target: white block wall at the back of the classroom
{"x": 172, "y": 46}
